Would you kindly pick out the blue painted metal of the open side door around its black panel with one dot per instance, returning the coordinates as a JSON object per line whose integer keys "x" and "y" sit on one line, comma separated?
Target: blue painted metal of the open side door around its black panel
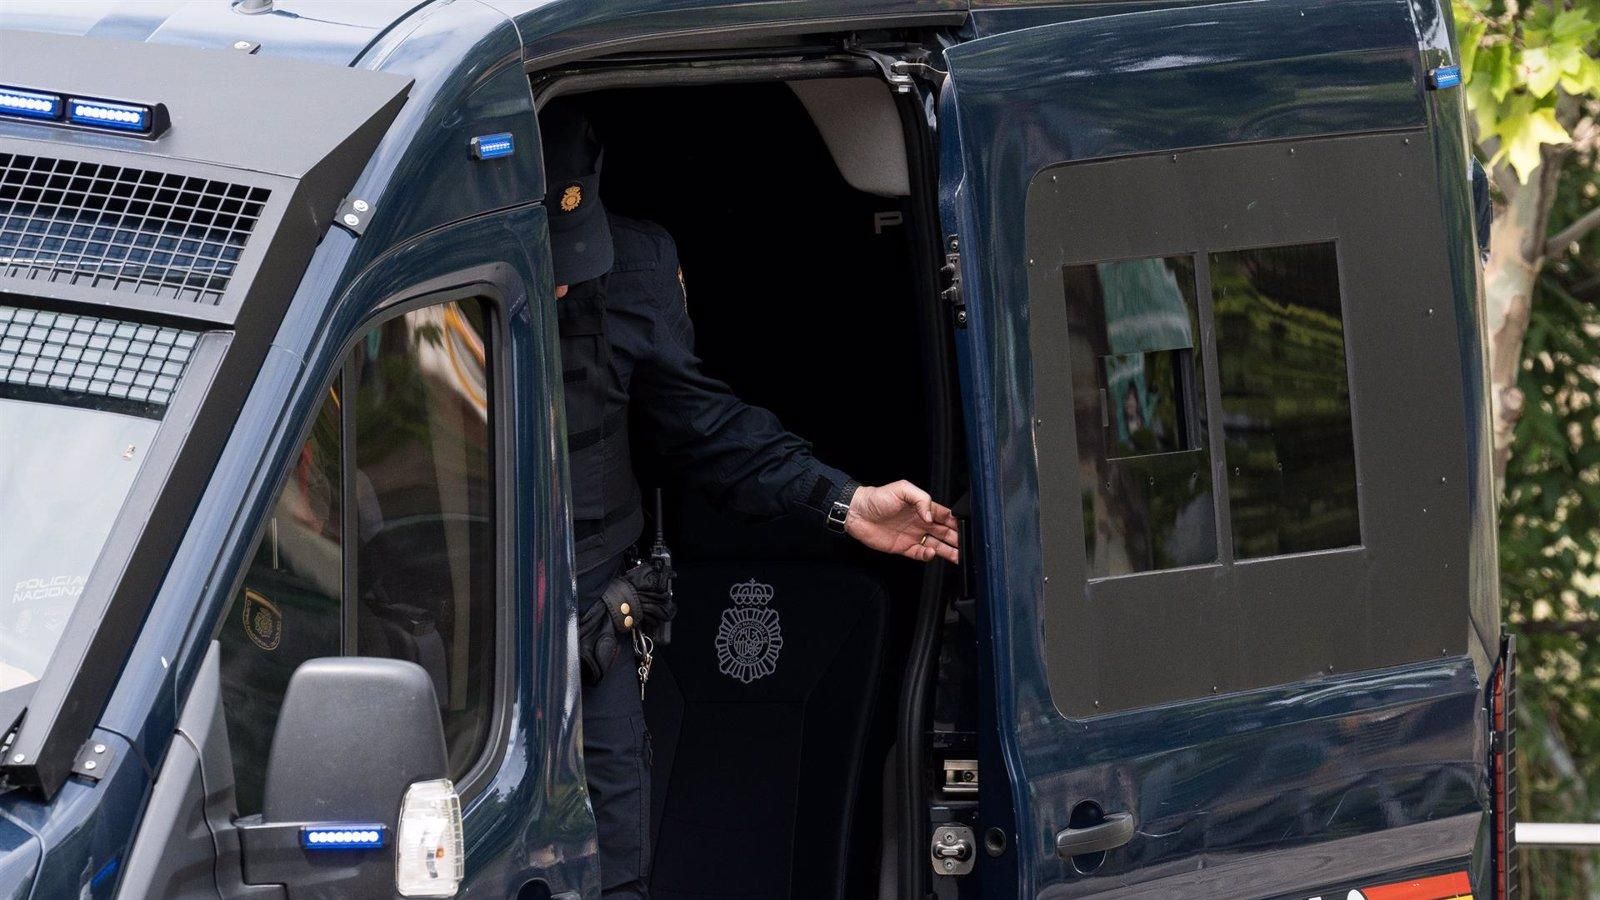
{"x": 1231, "y": 792}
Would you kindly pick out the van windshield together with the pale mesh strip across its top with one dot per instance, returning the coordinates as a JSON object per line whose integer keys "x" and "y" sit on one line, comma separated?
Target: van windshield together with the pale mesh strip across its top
{"x": 98, "y": 388}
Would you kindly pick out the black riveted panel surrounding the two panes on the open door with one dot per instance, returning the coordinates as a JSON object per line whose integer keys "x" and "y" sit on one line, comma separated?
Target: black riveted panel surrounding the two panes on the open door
{"x": 1153, "y": 638}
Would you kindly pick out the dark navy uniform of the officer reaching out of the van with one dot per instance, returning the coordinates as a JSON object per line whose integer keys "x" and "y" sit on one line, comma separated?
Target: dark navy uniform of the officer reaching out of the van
{"x": 628, "y": 352}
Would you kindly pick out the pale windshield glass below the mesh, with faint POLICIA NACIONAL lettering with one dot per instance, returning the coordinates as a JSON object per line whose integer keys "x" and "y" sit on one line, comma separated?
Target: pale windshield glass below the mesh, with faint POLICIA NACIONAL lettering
{"x": 65, "y": 473}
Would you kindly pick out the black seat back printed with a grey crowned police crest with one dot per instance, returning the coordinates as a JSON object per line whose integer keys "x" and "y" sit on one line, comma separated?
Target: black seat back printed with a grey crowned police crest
{"x": 759, "y": 747}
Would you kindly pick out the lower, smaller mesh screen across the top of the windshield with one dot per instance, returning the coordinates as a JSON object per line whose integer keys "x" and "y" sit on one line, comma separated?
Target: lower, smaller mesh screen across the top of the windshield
{"x": 90, "y": 356}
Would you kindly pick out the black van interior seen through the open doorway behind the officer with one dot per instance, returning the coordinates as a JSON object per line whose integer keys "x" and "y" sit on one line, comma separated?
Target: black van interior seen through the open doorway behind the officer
{"x": 817, "y": 299}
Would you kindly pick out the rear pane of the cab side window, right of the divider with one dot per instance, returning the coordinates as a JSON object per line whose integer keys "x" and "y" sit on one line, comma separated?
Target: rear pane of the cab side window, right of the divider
{"x": 425, "y": 494}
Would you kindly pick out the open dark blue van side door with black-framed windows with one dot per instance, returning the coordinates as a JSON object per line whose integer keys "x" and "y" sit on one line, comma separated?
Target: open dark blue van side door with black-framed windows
{"x": 1226, "y": 443}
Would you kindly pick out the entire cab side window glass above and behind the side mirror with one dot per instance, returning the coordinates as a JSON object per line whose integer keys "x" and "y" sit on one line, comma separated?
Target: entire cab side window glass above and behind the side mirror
{"x": 382, "y": 542}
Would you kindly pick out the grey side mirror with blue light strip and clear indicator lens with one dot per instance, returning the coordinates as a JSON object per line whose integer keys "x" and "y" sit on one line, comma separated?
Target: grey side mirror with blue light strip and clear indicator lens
{"x": 358, "y": 800}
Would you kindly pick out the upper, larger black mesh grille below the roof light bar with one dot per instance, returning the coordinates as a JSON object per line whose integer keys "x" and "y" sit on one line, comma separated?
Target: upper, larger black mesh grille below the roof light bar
{"x": 130, "y": 230}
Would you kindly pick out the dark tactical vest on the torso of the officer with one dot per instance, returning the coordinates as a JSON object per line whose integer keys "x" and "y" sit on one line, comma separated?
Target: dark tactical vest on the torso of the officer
{"x": 607, "y": 515}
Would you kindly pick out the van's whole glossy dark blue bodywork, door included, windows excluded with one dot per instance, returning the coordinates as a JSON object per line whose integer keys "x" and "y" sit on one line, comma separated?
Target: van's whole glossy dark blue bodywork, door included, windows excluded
{"x": 1250, "y": 787}
